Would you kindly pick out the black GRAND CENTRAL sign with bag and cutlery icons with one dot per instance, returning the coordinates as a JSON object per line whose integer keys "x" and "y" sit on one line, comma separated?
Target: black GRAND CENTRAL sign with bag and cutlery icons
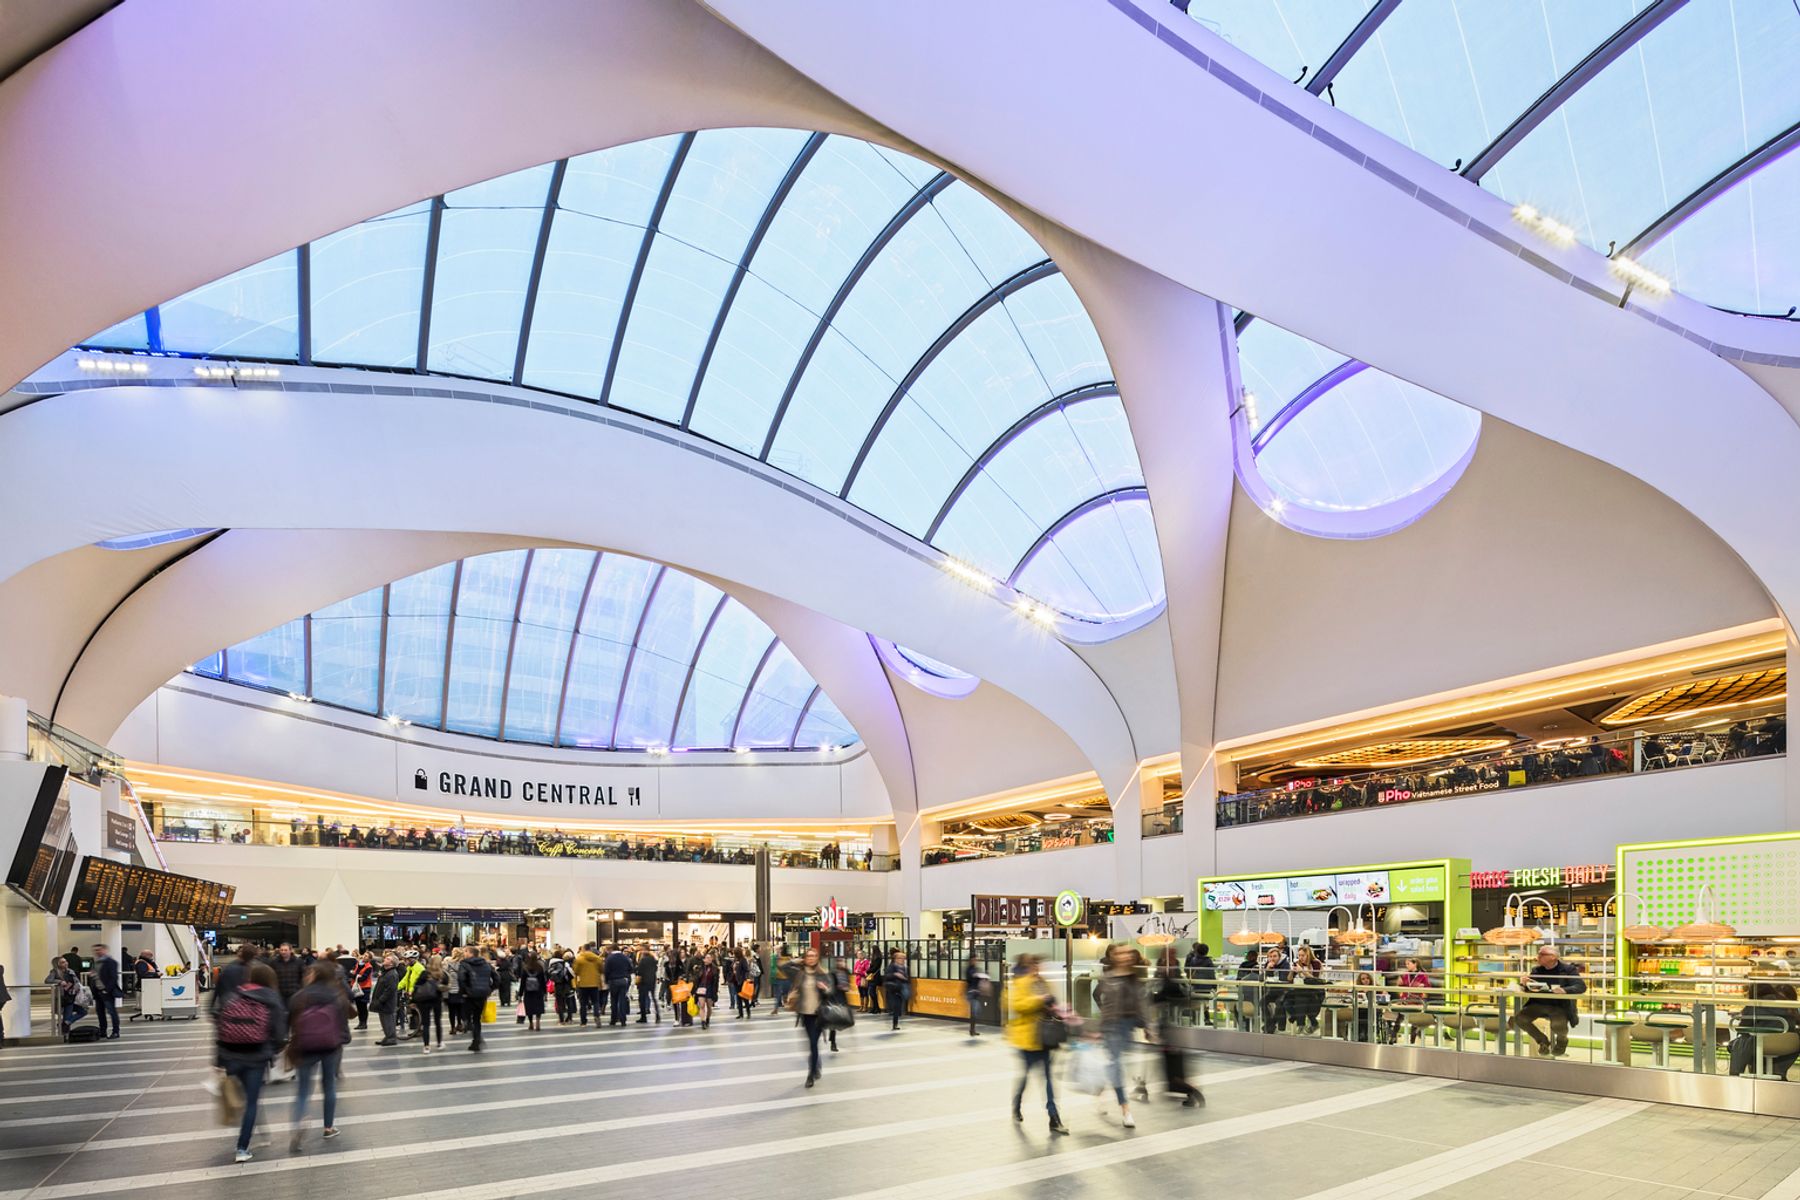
{"x": 523, "y": 787}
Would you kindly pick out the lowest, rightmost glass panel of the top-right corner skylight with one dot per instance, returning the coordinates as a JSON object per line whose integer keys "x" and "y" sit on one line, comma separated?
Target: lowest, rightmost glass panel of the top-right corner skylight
{"x": 1743, "y": 249}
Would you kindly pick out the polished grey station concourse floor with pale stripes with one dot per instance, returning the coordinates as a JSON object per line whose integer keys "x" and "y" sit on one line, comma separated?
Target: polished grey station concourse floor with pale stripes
{"x": 915, "y": 1115}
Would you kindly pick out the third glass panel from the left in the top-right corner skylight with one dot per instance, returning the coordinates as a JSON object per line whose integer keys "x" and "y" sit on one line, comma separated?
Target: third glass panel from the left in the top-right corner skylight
{"x": 1698, "y": 93}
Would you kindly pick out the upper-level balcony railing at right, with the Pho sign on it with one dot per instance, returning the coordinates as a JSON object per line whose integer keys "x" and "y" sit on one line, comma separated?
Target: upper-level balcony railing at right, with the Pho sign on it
{"x": 1515, "y": 767}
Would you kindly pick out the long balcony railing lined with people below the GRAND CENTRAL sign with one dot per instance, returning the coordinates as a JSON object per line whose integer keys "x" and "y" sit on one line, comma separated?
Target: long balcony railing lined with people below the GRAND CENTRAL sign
{"x": 521, "y": 843}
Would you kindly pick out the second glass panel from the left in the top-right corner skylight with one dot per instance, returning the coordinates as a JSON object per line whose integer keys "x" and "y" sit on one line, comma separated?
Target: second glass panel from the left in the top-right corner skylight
{"x": 1450, "y": 76}
